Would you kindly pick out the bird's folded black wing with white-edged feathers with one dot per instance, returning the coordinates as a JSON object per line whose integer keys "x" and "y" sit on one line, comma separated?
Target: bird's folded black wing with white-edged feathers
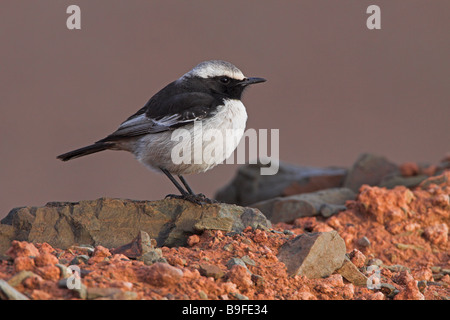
{"x": 164, "y": 113}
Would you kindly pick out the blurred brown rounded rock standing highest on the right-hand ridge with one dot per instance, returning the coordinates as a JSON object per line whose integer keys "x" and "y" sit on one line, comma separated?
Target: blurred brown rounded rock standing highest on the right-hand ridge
{"x": 369, "y": 169}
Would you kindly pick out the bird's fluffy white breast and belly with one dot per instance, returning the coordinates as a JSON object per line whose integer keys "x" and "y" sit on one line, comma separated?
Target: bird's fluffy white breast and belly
{"x": 155, "y": 150}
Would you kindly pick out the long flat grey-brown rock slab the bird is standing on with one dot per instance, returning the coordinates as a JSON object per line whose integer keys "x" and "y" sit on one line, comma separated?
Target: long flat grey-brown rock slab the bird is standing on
{"x": 114, "y": 222}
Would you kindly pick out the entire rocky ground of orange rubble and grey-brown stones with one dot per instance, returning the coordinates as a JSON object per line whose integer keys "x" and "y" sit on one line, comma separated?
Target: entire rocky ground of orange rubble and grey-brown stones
{"x": 375, "y": 231}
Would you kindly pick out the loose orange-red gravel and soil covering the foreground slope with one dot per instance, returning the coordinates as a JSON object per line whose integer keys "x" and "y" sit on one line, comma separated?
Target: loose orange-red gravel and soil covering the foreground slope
{"x": 405, "y": 231}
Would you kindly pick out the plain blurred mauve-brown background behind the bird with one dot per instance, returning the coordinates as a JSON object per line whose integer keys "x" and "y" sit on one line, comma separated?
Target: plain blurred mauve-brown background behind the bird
{"x": 335, "y": 89}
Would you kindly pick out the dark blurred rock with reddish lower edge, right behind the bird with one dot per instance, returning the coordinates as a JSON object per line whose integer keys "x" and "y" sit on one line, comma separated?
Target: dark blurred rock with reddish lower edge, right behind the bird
{"x": 249, "y": 186}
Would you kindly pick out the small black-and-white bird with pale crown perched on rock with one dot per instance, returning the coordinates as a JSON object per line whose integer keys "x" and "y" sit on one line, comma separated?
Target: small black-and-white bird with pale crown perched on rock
{"x": 210, "y": 94}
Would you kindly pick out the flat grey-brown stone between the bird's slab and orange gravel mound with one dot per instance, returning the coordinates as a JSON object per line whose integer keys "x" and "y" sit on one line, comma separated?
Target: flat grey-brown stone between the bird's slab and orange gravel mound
{"x": 287, "y": 209}
